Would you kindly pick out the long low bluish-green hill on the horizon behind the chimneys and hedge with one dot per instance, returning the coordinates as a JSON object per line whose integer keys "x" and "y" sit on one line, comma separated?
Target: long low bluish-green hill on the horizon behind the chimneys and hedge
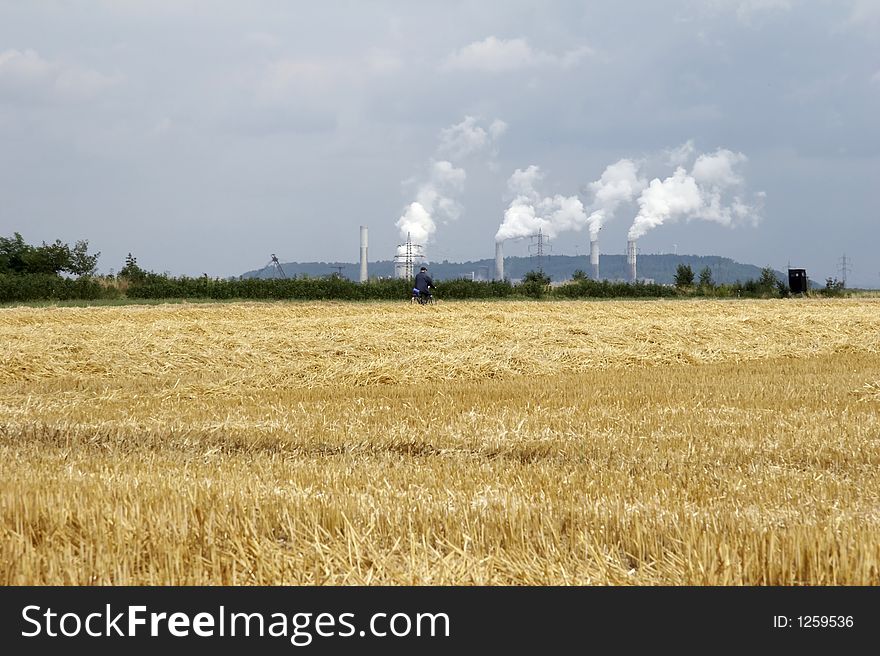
{"x": 660, "y": 268}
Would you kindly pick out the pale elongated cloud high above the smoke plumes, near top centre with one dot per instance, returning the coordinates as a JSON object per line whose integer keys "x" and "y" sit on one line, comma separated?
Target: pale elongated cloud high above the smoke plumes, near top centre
{"x": 494, "y": 55}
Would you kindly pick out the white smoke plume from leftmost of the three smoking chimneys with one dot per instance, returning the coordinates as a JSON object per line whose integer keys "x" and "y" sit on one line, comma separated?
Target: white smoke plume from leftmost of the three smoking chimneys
{"x": 529, "y": 212}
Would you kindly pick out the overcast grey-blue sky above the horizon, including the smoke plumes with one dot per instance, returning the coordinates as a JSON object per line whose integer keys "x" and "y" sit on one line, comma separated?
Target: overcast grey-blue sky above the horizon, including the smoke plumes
{"x": 204, "y": 136}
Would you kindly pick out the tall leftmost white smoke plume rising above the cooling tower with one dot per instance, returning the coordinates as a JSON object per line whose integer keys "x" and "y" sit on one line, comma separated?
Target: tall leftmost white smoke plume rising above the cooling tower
{"x": 435, "y": 197}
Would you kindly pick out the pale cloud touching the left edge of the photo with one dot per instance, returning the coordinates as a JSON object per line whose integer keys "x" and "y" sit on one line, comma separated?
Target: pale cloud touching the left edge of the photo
{"x": 25, "y": 74}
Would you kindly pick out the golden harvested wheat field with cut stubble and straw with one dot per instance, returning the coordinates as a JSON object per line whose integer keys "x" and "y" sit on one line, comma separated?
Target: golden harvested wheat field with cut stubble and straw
{"x": 588, "y": 443}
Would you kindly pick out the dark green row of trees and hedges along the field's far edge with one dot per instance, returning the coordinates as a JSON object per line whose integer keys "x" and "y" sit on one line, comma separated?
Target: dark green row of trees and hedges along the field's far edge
{"x": 58, "y": 272}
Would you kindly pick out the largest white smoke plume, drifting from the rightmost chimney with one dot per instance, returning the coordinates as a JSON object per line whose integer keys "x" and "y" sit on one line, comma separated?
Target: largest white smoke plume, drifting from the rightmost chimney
{"x": 708, "y": 193}
